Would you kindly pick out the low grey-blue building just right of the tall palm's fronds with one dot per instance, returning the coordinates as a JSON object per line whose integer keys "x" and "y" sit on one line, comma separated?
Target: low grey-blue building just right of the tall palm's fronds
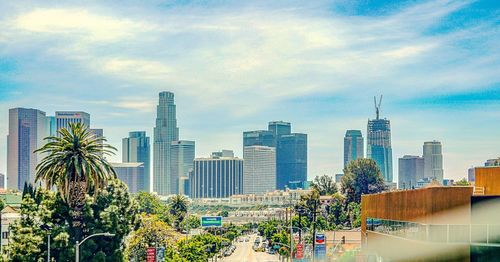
{"x": 132, "y": 174}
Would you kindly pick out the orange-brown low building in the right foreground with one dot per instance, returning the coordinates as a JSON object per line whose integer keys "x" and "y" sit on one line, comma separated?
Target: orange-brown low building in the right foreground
{"x": 435, "y": 223}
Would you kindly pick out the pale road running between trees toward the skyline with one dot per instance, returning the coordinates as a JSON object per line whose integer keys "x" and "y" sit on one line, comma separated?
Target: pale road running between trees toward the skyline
{"x": 245, "y": 253}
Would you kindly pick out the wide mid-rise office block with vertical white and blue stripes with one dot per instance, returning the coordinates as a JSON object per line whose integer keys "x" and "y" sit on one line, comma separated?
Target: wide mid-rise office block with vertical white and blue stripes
{"x": 216, "y": 177}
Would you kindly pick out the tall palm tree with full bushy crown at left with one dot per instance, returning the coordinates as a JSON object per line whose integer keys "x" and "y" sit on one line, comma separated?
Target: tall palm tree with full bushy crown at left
{"x": 75, "y": 165}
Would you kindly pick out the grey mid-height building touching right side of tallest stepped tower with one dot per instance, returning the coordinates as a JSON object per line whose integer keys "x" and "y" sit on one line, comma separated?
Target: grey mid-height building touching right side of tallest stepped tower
{"x": 182, "y": 157}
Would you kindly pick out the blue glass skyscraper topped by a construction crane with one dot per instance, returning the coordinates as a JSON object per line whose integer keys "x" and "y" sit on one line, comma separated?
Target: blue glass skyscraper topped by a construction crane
{"x": 378, "y": 146}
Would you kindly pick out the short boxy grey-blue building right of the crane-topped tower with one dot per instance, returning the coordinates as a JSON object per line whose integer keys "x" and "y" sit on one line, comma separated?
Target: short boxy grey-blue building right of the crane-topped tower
{"x": 411, "y": 170}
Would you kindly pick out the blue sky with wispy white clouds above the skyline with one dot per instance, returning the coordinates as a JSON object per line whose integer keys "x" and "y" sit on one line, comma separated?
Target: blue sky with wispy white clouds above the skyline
{"x": 235, "y": 65}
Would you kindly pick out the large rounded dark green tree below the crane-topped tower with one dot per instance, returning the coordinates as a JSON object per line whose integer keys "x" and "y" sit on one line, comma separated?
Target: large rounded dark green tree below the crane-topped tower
{"x": 361, "y": 176}
